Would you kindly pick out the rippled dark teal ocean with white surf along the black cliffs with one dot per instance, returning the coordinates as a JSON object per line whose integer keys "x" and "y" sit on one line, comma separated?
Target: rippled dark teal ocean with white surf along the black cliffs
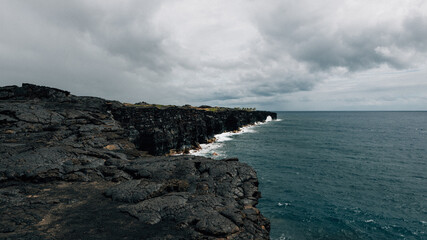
{"x": 337, "y": 175}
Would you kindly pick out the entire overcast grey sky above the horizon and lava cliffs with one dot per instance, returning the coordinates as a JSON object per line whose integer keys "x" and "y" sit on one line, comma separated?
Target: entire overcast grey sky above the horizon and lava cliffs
{"x": 268, "y": 54}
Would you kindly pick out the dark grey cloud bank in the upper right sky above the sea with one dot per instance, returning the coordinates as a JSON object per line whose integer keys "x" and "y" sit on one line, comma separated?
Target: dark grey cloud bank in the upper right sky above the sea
{"x": 326, "y": 40}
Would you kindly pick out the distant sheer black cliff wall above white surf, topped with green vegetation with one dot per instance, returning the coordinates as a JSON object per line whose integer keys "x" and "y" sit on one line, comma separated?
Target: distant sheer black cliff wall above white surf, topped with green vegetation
{"x": 160, "y": 130}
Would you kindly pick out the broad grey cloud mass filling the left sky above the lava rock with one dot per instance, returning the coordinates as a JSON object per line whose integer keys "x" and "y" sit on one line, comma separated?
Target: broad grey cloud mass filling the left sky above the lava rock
{"x": 88, "y": 47}
